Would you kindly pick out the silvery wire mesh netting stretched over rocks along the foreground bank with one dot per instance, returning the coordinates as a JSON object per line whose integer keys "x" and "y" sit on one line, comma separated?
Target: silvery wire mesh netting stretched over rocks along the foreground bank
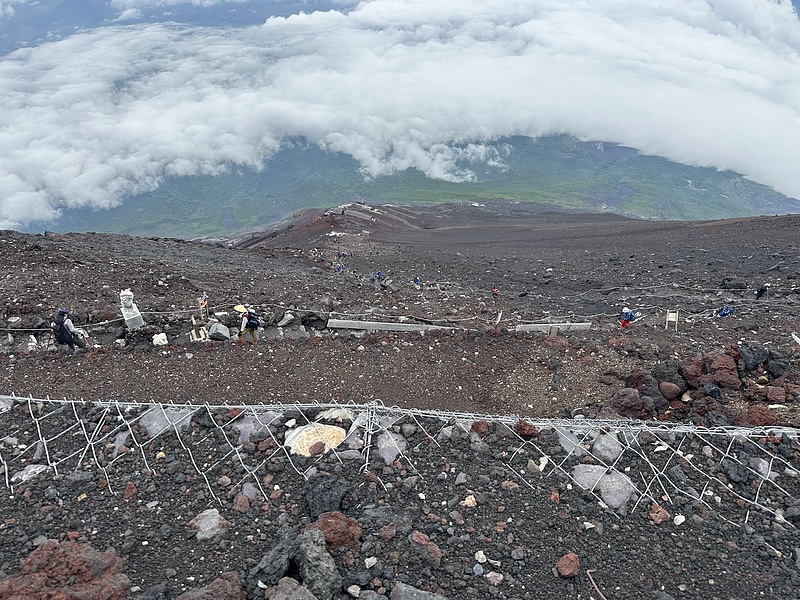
{"x": 626, "y": 466}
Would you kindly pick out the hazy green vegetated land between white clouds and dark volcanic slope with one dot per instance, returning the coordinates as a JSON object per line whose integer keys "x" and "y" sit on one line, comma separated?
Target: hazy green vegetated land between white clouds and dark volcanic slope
{"x": 558, "y": 170}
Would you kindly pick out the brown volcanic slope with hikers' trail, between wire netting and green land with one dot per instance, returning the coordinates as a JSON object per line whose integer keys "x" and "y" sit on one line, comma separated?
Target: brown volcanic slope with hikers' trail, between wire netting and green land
{"x": 549, "y": 267}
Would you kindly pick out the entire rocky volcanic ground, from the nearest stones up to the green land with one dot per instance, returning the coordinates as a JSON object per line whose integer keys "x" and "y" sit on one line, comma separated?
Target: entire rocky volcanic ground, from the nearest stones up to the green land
{"x": 467, "y": 507}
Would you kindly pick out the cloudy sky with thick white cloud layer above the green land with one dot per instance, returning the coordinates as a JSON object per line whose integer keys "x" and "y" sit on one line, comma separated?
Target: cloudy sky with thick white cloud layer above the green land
{"x": 105, "y": 102}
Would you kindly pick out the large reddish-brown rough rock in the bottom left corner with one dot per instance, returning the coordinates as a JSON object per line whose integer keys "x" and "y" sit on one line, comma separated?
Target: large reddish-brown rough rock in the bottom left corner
{"x": 67, "y": 570}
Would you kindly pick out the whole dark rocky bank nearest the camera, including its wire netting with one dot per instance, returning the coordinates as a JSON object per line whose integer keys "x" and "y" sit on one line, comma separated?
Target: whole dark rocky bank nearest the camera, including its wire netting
{"x": 217, "y": 503}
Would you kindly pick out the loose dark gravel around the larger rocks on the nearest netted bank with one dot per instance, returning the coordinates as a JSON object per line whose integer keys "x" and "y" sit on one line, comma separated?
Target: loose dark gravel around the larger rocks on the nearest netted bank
{"x": 467, "y": 493}
